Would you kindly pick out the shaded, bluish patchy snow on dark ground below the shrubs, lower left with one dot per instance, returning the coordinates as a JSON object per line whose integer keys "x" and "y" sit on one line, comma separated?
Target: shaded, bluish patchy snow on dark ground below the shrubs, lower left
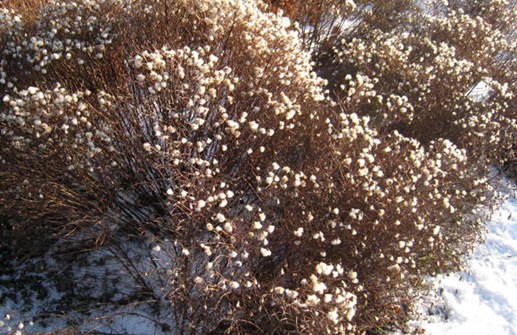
{"x": 46, "y": 307}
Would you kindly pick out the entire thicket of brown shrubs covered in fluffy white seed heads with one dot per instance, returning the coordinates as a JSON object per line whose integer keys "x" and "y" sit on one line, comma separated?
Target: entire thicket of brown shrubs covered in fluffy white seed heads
{"x": 275, "y": 201}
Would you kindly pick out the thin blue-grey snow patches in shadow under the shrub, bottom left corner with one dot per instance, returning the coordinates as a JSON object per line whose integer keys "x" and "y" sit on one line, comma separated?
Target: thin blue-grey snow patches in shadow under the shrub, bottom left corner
{"x": 100, "y": 272}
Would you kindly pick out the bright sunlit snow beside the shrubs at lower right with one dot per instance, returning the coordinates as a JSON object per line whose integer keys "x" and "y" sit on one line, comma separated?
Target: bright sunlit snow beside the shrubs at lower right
{"x": 483, "y": 299}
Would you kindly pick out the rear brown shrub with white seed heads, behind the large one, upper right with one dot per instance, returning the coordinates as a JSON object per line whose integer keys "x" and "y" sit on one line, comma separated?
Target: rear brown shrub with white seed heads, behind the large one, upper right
{"x": 419, "y": 68}
